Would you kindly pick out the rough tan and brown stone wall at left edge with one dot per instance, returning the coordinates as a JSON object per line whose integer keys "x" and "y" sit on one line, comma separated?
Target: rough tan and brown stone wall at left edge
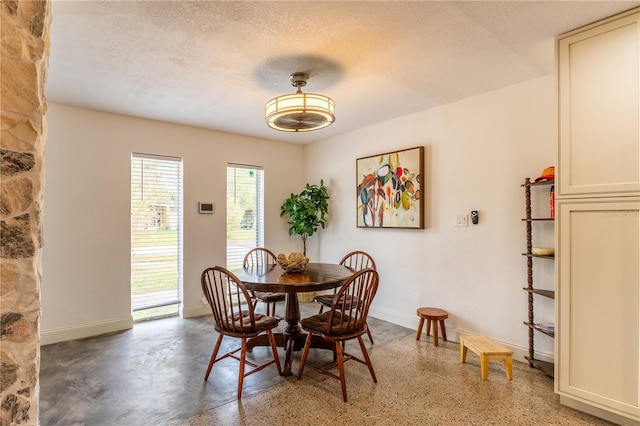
{"x": 24, "y": 31}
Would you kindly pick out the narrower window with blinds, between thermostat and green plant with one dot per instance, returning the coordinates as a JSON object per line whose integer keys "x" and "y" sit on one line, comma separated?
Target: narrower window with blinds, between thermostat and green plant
{"x": 245, "y": 211}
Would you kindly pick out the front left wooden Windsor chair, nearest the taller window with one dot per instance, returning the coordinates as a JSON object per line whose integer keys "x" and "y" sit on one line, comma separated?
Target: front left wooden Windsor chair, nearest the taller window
{"x": 224, "y": 292}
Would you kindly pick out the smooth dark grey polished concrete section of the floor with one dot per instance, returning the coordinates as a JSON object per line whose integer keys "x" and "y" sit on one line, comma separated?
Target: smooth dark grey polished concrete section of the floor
{"x": 153, "y": 372}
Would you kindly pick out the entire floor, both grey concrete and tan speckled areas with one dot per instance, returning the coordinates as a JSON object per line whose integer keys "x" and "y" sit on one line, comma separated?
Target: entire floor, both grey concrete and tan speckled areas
{"x": 153, "y": 375}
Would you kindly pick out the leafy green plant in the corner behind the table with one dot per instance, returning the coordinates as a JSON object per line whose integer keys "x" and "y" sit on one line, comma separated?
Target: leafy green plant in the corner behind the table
{"x": 307, "y": 211}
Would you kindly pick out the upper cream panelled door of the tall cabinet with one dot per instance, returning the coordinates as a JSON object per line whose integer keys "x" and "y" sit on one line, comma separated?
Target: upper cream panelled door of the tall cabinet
{"x": 598, "y": 88}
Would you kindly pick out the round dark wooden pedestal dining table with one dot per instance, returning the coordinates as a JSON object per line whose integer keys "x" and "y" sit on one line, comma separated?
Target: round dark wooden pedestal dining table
{"x": 314, "y": 277}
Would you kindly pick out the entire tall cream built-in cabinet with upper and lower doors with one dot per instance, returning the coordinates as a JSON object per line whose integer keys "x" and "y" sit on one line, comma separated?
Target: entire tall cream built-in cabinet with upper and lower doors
{"x": 597, "y": 339}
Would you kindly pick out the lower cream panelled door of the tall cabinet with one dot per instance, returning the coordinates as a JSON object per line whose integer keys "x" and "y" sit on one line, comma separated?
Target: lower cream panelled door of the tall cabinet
{"x": 598, "y": 328}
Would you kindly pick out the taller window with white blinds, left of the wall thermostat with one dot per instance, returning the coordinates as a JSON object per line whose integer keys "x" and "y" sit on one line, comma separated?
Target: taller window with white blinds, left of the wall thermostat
{"x": 156, "y": 235}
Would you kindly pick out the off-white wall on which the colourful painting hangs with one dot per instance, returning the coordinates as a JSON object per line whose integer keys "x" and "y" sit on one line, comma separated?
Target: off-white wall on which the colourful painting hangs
{"x": 478, "y": 152}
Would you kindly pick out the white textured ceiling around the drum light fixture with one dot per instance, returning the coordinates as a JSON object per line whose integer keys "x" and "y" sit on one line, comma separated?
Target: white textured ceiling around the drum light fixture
{"x": 214, "y": 64}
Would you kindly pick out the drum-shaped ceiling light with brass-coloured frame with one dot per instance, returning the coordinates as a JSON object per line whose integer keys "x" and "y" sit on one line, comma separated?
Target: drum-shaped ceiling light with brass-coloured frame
{"x": 299, "y": 112}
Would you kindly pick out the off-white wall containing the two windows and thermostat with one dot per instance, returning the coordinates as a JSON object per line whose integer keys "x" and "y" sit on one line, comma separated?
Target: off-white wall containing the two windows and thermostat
{"x": 86, "y": 256}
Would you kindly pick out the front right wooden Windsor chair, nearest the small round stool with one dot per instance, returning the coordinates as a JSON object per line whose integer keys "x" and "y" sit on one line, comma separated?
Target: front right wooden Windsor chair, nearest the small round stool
{"x": 345, "y": 320}
